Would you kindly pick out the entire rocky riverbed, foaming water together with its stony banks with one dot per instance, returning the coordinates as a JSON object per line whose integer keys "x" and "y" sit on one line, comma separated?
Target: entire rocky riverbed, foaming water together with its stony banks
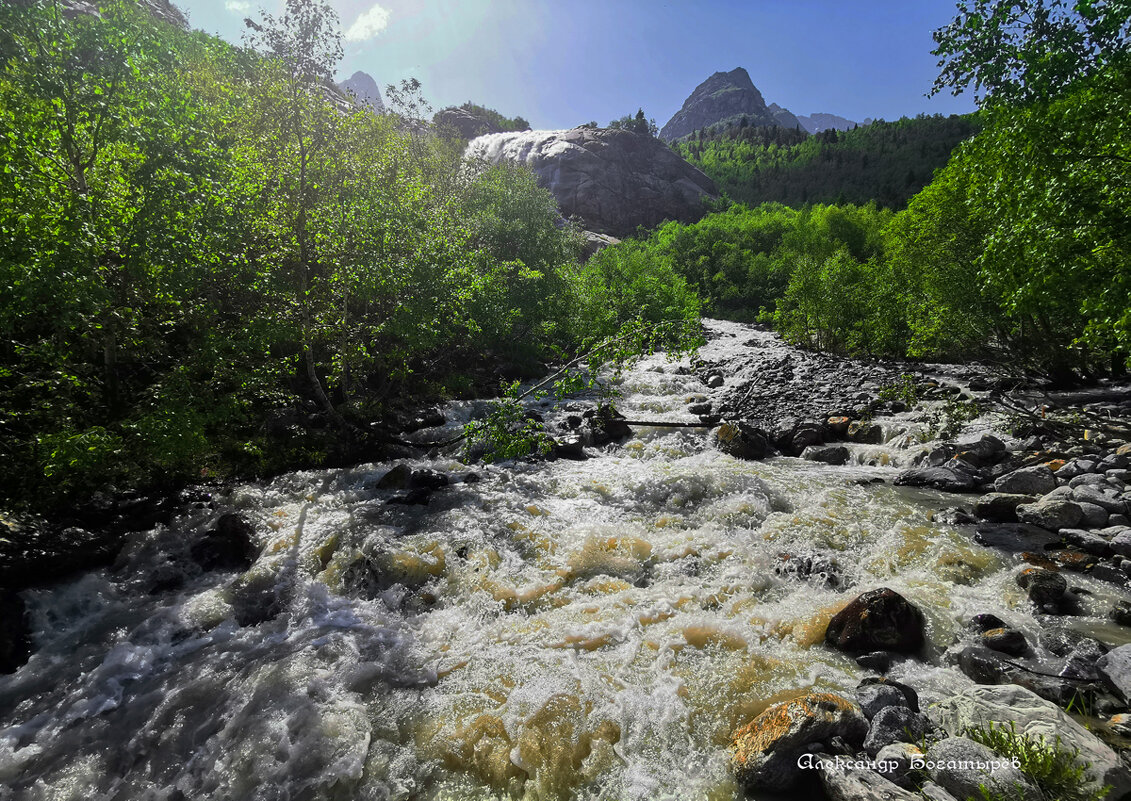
{"x": 809, "y": 595}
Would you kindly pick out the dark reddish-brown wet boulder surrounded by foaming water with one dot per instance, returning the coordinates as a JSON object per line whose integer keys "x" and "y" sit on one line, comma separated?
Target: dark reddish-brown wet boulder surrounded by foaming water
{"x": 877, "y": 621}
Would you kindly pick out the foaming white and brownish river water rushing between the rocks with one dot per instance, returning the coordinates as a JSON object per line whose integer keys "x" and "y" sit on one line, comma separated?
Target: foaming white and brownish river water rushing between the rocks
{"x": 567, "y": 630}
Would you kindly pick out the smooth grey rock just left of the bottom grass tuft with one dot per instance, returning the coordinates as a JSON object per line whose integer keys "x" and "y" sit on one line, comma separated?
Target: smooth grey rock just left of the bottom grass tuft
{"x": 955, "y": 770}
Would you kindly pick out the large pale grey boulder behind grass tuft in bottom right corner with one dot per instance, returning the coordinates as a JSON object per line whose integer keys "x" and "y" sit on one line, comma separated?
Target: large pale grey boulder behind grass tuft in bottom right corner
{"x": 1035, "y": 717}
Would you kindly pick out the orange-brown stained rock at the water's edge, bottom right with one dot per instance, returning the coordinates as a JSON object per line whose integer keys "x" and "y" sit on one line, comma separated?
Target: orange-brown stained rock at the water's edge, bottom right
{"x": 764, "y": 754}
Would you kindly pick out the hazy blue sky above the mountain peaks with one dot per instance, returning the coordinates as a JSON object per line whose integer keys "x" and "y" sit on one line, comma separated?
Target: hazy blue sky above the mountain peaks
{"x": 567, "y": 63}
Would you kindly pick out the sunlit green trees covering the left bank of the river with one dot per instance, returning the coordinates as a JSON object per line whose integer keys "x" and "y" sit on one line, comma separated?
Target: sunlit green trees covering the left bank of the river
{"x": 211, "y": 269}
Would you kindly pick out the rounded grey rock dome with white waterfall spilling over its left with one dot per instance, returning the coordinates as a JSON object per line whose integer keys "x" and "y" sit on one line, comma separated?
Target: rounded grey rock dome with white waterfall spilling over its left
{"x": 614, "y": 180}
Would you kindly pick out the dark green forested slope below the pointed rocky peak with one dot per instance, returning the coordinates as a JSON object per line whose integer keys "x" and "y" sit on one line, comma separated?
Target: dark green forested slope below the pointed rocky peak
{"x": 884, "y": 162}
